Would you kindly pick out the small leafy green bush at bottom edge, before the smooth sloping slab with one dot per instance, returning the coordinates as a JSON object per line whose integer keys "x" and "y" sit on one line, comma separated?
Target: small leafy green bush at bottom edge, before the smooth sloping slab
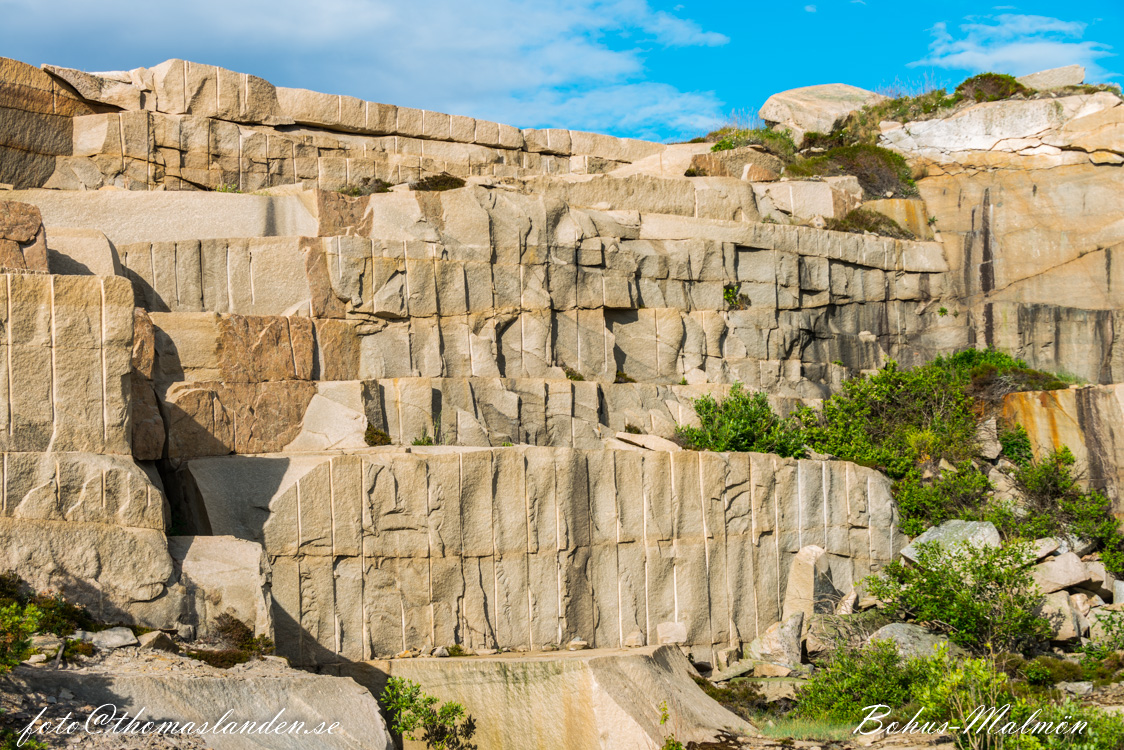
{"x": 416, "y": 716}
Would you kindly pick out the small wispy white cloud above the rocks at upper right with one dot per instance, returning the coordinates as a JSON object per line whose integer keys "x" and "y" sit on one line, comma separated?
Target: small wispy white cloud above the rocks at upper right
{"x": 1017, "y": 44}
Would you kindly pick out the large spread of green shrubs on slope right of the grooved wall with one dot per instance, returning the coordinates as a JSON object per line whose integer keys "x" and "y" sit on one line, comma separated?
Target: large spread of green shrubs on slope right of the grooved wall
{"x": 920, "y": 428}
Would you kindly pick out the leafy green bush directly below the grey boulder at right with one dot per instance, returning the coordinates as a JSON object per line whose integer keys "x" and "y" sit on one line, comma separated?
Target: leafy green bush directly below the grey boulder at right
{"x": 982, "y": 598}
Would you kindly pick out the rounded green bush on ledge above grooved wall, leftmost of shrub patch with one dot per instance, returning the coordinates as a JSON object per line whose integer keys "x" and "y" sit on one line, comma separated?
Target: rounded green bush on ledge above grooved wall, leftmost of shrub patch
{"x": 742, "y": 422}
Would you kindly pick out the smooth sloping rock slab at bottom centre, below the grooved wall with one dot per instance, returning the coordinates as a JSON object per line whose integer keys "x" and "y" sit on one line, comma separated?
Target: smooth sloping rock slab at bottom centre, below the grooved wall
{"x": 575, "y": 700}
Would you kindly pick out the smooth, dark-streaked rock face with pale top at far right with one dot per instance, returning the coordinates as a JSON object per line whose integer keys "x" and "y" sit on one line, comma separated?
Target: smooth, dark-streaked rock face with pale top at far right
{"x": 1025, "y": 196}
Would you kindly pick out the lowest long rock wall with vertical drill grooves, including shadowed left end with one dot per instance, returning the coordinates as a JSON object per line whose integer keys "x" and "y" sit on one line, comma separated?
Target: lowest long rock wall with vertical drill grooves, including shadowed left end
{"x": 379, "y": 552}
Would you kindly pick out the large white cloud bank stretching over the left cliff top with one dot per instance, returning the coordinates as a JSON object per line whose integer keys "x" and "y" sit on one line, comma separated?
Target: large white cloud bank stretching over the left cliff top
{"x": 570, "y": 64}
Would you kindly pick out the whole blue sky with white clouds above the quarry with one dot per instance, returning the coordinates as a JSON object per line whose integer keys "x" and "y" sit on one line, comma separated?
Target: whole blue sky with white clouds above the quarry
{"x": 640, "y": 68}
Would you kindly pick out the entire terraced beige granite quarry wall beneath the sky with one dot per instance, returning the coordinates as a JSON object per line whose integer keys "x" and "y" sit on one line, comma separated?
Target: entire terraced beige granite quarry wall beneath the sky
{"x": 402, "y": 421}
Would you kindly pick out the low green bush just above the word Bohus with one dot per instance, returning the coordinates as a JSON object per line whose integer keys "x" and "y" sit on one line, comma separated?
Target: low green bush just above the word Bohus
{"x": 857, "y": 679}
